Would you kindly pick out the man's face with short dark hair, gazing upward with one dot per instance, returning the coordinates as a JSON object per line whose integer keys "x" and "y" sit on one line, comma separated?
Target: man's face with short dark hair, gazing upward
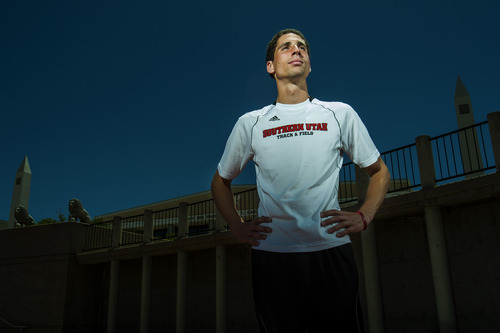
{"x": 291, "y": 59}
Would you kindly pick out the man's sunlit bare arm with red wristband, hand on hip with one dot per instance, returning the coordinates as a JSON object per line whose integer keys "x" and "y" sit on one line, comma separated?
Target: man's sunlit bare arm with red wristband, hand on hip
{"x": 375, "y": 195}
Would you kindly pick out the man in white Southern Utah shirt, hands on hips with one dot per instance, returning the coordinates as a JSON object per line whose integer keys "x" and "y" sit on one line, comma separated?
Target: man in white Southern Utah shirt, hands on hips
{"x": 304, "y": 273}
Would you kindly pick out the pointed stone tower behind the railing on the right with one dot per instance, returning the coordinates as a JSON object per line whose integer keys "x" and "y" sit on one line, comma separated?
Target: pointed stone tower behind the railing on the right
{"x": 469, "y": 144}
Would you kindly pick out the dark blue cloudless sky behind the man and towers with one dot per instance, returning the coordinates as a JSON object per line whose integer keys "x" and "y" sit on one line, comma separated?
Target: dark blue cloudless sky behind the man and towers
{"x": 125, "y": 103}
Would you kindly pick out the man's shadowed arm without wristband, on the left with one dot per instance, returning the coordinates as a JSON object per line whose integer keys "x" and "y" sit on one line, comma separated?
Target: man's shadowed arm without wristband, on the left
{"x": 246, "y": 232}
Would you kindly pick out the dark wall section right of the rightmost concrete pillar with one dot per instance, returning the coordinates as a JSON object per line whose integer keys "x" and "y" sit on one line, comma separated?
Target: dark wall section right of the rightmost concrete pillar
{"x": 473, "y": 234}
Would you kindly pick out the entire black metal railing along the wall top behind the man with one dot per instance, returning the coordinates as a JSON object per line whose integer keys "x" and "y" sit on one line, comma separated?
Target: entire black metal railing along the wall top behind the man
{"x": 458, "y": 154}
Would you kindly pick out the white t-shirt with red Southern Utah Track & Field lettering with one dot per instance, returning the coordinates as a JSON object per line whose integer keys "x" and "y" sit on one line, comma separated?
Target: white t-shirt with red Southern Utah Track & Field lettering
{"x": 297, "y": 151}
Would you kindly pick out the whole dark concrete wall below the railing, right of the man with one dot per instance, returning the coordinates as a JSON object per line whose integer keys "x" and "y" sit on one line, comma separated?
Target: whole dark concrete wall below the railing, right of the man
{"x": 471, "y": 223}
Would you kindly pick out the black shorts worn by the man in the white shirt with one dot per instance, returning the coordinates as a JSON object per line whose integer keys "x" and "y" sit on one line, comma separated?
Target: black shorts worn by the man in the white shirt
{"x": 307, "y": 292}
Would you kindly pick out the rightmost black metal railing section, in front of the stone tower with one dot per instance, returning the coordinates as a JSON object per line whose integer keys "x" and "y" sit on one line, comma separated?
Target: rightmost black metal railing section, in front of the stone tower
{"x": 463, "y": 153}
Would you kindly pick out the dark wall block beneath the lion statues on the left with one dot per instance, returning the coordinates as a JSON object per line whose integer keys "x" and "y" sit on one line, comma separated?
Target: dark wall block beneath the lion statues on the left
{"x": 41, "y": 284}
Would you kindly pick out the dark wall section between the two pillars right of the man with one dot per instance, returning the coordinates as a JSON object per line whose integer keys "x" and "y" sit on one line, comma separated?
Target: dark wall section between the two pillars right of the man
{"x": 405, "y": 274}
